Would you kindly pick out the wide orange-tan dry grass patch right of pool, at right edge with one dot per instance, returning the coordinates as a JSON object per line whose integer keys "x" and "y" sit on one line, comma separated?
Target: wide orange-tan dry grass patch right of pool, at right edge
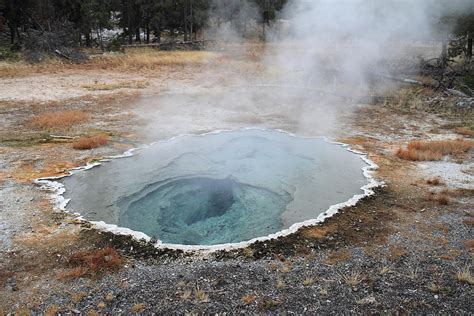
{"x": 433, "y": 149}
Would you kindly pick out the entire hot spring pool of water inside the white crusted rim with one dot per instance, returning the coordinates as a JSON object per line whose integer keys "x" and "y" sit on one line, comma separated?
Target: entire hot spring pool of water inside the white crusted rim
{"x": 218, "y": 188}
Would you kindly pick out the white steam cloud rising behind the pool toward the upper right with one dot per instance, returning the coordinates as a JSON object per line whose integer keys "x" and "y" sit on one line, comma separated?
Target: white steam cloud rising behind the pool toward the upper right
{"x": 322, "y": 58}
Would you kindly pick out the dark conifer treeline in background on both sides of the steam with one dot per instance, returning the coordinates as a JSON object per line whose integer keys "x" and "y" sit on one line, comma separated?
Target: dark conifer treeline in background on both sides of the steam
{"x": 51, "y": 24}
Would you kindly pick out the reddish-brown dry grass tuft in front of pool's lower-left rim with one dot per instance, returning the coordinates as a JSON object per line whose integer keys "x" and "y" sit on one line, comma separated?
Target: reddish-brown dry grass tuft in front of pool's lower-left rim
{"x": 93, "y": 262}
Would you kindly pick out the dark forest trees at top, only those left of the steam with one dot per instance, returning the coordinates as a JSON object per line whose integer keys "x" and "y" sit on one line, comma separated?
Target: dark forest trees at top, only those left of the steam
{"x": 138, "y": 20}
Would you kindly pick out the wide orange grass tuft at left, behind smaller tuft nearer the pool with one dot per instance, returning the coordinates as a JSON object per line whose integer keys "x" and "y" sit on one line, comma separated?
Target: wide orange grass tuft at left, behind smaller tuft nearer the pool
{"x": 61, "y": 119}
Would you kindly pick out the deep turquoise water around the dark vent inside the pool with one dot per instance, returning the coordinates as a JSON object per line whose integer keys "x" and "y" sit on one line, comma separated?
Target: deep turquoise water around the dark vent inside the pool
{"x": 205, "y": 211}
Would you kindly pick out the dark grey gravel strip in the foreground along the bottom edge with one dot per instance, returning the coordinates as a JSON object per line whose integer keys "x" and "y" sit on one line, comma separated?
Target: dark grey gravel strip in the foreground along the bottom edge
{"x": 363, "y": 284}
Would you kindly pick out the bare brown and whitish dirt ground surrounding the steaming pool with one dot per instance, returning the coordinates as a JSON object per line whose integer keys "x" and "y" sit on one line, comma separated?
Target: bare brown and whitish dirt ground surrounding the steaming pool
{"x": 403, "y": 250}
